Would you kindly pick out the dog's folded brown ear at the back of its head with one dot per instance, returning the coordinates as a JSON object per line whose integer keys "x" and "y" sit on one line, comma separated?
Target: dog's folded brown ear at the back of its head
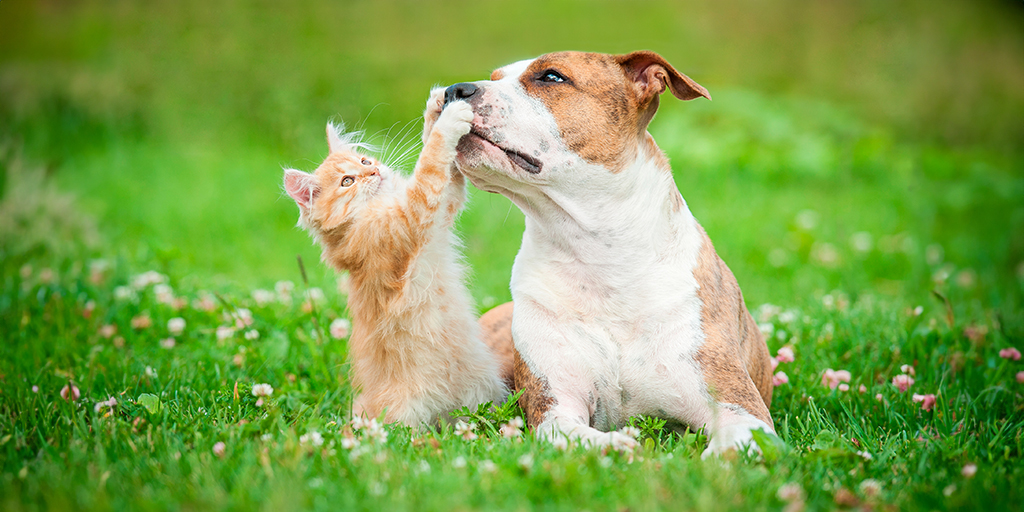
{"x": 652, "y": 74}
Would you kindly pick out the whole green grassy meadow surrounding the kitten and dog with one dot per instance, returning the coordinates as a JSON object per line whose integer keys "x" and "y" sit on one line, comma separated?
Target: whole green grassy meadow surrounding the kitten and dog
{"x": 861, "y": 169}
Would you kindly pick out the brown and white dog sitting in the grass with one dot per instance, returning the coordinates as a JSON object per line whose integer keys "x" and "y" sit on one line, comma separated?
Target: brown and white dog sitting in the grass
{"x": 622, "y": 306}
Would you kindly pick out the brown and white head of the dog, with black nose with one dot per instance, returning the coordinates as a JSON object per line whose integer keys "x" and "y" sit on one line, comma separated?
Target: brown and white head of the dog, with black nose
{"x": 565, "y": 118}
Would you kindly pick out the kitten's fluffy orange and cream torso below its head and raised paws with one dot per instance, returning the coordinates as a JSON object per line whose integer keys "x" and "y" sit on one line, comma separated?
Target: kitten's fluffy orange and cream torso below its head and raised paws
{"x": 416, "y": 328}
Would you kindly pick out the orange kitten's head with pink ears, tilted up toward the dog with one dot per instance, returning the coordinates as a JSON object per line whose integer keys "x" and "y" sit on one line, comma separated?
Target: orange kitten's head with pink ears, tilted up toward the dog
{"x": 343, "y": 187}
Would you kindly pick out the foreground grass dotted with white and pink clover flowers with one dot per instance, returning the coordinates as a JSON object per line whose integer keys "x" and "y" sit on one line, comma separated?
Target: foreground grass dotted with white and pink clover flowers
{"x": 155, "y": 449}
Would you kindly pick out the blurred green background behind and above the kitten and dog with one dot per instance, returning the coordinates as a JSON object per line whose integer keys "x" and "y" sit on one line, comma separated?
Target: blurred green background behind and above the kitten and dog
{"x": 871, "y": 147}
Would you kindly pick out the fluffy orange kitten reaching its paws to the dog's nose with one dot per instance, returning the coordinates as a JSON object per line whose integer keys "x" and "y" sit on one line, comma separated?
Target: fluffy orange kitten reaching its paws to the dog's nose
{"x": 416, "y": 351}
